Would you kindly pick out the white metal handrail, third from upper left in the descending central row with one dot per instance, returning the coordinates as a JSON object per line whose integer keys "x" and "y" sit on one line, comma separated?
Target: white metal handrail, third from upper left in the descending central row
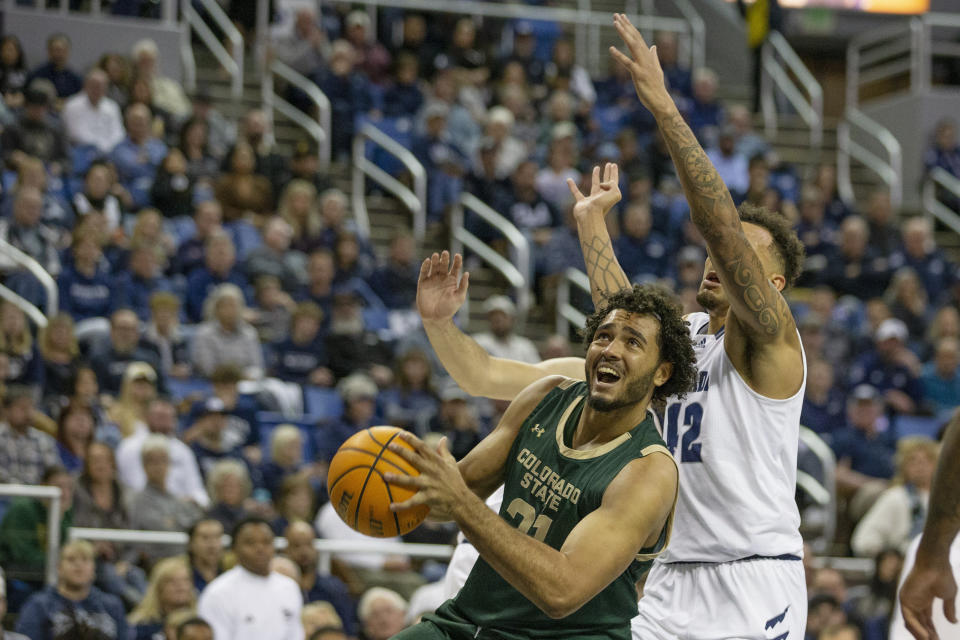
{"x": 413, "y": 199}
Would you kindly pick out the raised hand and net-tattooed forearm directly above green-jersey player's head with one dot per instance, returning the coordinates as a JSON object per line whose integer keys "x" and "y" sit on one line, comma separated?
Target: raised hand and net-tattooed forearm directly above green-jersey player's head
{"x": 606, "y": 275}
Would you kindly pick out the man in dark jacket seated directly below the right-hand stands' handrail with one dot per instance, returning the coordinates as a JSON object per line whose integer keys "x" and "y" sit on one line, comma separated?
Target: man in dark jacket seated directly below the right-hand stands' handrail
{"x": 854, "y": 268}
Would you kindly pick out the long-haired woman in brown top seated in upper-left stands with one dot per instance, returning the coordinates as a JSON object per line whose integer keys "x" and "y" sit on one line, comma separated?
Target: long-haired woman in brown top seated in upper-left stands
{"x": 243, "y": 194}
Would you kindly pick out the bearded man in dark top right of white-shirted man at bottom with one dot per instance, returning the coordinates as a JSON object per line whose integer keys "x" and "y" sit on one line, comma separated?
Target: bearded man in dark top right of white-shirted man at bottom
{"x": 315, "y": 586}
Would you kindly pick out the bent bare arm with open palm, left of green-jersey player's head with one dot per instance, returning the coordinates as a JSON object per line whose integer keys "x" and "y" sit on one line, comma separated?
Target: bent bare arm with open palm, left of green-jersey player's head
{"x": 440, "y": 293}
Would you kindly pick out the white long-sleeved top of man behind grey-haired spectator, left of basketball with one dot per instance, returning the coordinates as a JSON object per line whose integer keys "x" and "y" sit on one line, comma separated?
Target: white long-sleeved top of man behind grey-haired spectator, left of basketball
{"x": 183, "y": 479}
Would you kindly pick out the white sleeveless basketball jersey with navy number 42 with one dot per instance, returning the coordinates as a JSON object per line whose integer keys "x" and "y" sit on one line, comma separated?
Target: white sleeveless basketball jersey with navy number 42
{"x": 737, "y": 455}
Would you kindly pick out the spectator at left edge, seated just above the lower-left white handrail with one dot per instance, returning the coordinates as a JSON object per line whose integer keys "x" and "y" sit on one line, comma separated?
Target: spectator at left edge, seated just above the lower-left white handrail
{"x": 27, "y": 233}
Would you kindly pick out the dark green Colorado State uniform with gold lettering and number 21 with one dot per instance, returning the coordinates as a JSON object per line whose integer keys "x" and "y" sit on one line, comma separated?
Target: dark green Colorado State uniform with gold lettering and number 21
{"x": 548, "y": 489}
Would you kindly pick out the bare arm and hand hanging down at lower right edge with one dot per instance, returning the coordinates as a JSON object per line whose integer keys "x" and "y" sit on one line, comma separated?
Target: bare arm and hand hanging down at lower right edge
{"x": 931, "y": 576}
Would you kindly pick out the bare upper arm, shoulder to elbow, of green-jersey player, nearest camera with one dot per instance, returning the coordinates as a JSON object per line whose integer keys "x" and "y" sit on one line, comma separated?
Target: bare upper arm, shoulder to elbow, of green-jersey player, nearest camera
{"x": 635, "y": 507}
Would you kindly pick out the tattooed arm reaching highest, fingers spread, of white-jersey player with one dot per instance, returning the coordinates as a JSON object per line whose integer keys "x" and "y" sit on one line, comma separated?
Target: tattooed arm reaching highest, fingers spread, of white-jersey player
{"x": 755, "y": 302}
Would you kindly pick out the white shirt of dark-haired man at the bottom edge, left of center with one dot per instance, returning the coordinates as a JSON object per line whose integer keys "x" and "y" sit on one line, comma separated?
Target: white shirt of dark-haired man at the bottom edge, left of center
{"x": 241, "y": 605}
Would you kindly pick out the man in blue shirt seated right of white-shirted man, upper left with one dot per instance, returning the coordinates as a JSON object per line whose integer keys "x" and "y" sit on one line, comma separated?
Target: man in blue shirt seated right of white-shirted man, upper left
{"x": 138, "y": 155}
